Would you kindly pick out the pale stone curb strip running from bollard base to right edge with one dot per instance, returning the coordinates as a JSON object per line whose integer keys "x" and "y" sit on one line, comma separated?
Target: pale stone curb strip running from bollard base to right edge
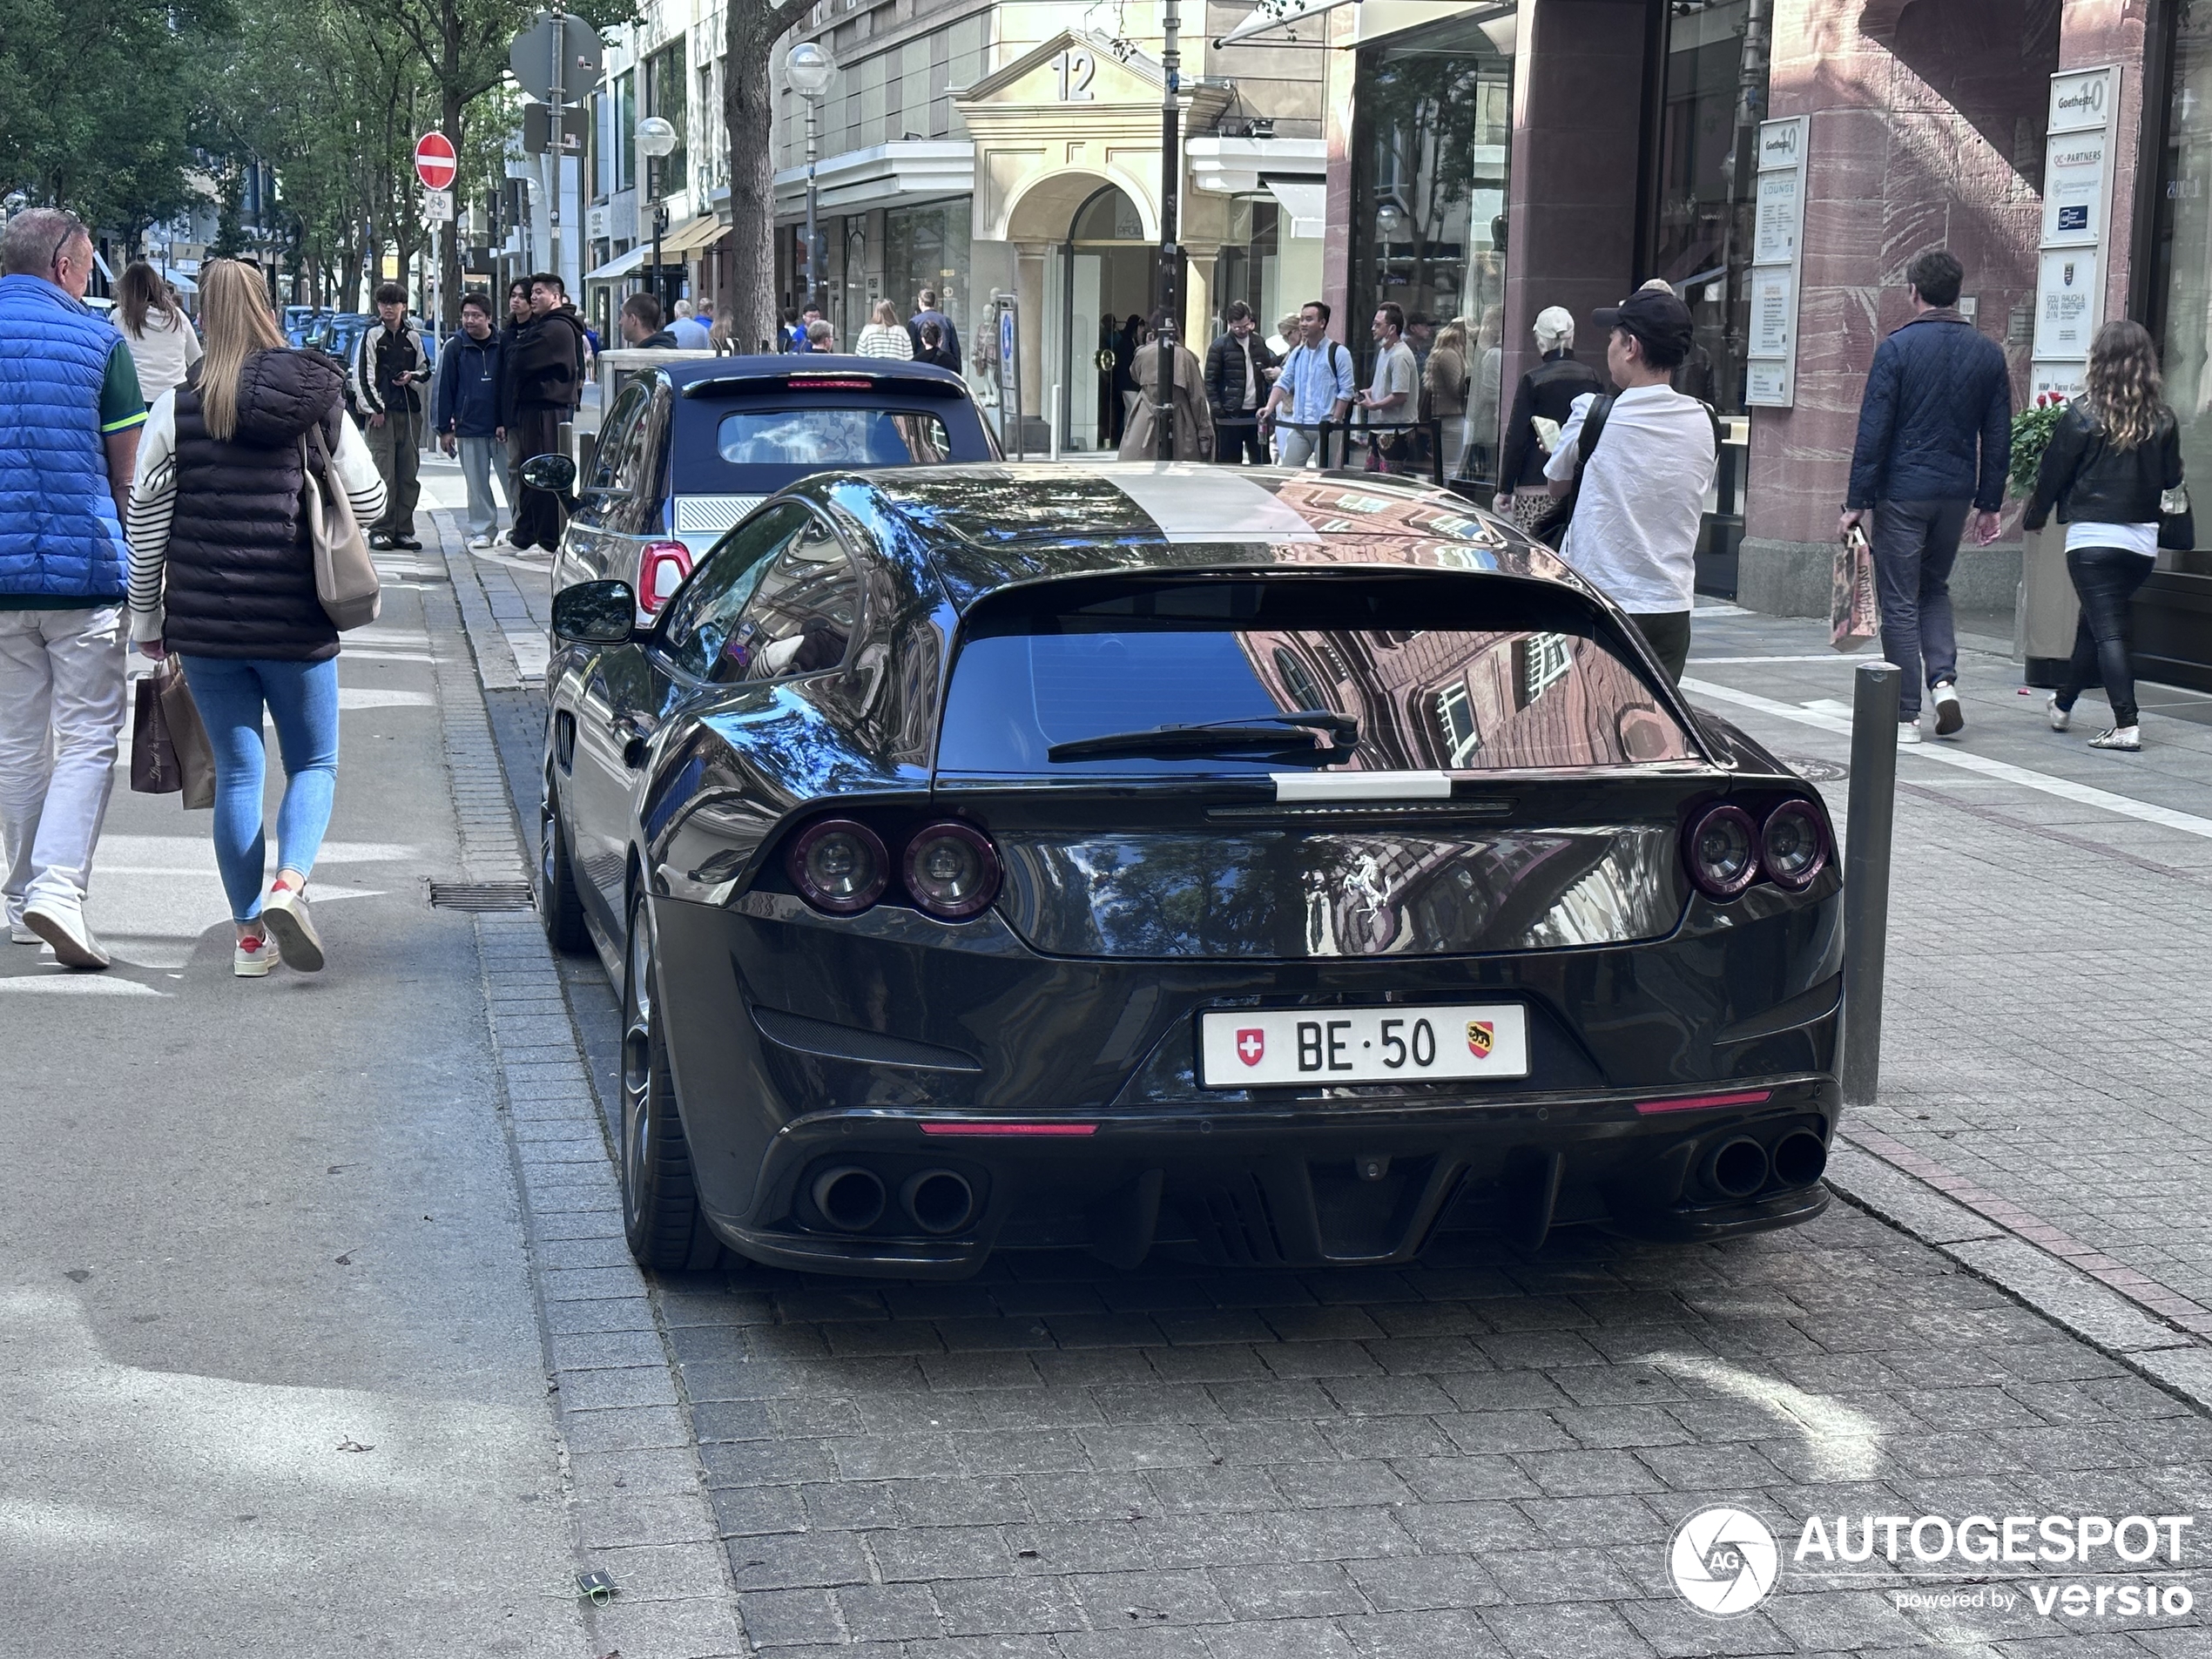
{"x": 2111, "y": 1322}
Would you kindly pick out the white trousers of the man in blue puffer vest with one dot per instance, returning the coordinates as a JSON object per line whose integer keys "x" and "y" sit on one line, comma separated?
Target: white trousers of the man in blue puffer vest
{"x": 61, "y": 711}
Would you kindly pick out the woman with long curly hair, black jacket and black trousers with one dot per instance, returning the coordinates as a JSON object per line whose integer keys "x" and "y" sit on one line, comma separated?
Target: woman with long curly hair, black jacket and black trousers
{"x": 2114, "y": 455}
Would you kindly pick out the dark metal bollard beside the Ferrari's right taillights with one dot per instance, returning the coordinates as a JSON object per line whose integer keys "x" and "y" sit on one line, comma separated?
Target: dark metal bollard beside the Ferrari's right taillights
{"x": 1866, "y": 875}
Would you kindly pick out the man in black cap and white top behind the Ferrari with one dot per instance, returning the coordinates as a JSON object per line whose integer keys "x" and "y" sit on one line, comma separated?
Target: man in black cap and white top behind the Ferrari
{"x": 1638, "y": 468}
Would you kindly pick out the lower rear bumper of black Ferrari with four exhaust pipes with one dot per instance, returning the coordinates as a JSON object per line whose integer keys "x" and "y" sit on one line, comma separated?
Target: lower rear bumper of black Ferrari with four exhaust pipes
{"x": 1308, "y": 1185}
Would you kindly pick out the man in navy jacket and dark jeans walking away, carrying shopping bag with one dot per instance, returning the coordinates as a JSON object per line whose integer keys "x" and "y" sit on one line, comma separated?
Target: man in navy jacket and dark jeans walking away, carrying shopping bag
{"x": 1934, "y": 444}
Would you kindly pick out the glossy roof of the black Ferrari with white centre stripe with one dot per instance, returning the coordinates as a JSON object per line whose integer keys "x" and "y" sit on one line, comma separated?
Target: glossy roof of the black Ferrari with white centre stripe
{"x": 999, "y": 525}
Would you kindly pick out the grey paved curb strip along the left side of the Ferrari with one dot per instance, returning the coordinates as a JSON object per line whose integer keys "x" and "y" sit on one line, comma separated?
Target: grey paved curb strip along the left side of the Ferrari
{"x": 636, "y": 1483}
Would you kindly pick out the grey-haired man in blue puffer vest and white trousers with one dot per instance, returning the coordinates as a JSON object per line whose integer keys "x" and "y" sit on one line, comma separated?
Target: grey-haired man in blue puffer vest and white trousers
{"x": 70, "y": 424}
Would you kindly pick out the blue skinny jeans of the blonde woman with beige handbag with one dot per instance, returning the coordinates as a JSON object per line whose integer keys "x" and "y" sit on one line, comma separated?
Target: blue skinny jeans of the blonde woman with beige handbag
{"x": 304, "y": 702}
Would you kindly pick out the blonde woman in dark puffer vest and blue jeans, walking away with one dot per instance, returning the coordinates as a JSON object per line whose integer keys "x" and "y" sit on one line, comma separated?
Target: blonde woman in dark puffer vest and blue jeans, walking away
{"x": 222, "y": 574}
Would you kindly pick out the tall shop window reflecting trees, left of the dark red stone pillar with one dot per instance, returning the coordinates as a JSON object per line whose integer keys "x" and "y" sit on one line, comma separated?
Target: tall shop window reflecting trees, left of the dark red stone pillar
{"x": 1432, "y": 156}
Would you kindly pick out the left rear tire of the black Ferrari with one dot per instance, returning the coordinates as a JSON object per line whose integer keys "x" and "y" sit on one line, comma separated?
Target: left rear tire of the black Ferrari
{"x": 660, "y": 1204}
